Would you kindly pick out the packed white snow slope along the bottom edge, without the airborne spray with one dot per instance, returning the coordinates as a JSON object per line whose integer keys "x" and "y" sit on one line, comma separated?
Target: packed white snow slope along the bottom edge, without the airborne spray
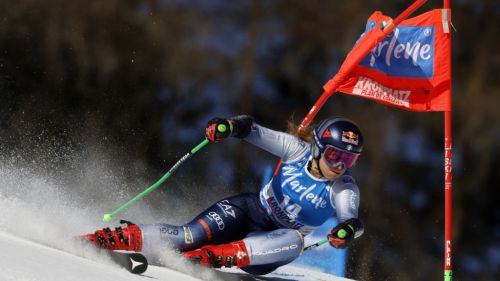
{"x": 23, "y": 260}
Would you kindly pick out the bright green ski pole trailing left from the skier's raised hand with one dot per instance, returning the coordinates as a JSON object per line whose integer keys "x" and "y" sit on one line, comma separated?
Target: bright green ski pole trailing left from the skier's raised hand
{"x": 109, "y": 217}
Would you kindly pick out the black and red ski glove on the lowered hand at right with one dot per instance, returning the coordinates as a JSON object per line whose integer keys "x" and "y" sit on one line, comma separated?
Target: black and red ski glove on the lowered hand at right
{"x": 343, "y": 234}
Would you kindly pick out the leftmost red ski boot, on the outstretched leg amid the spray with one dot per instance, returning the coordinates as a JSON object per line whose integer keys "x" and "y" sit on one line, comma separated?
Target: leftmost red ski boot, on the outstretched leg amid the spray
{"x": 128, "y": 238}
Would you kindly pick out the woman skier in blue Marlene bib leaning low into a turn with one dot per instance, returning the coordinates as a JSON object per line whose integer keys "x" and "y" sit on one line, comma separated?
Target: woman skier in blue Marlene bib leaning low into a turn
{"x": 259, "y": 233}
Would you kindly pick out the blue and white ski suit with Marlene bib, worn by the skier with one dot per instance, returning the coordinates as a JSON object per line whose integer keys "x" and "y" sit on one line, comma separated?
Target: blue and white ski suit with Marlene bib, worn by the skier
{"x": 272, "y": 224}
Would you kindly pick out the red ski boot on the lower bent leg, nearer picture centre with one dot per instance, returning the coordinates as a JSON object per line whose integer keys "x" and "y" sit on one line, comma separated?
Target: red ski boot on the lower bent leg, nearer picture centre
{"x": 227, "y": 255}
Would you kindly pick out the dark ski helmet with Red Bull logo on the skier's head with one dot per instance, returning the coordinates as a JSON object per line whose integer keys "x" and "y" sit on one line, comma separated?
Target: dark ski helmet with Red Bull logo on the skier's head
{"x": 339, "y": 133}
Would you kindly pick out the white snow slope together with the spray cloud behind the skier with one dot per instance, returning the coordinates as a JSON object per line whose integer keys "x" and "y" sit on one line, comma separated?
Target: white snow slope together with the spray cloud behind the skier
{"x": 41, "y": 212}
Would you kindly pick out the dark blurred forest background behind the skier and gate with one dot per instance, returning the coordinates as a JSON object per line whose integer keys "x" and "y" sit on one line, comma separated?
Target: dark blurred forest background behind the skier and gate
{"x": 140, "y": 79}
